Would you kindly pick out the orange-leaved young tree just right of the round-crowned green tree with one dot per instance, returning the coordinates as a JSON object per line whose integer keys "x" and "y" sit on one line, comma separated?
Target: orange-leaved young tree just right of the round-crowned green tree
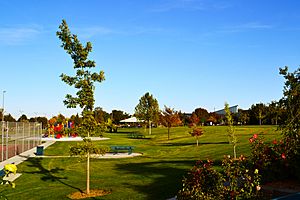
{"x": 170, "y": 118}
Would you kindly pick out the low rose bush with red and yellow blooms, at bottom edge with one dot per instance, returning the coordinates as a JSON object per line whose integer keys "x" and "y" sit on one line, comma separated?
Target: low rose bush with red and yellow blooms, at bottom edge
{"x": 236, "y": 181}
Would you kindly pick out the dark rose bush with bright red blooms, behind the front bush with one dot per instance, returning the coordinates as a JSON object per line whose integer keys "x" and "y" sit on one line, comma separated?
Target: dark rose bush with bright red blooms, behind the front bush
{"x": 269, "y": 158}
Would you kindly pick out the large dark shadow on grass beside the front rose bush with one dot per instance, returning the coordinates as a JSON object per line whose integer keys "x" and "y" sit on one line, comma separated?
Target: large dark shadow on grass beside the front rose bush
{"x": 163, "y": 177}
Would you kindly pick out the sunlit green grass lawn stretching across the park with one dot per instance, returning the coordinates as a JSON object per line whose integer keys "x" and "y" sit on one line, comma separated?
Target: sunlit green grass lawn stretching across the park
{"x": 157, "y": 174}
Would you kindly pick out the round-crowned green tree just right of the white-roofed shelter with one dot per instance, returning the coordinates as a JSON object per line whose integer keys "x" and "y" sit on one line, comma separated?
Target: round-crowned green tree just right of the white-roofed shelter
{"x": 147, "y": 109}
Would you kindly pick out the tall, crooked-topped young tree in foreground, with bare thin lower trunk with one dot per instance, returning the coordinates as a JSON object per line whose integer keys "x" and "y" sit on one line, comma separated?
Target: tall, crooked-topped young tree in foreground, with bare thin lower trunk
{"x": 83, "y": 81}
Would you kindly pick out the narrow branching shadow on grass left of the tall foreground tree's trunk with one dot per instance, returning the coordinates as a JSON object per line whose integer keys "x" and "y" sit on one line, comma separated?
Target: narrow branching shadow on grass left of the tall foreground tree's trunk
{"x": 47, "y": 174}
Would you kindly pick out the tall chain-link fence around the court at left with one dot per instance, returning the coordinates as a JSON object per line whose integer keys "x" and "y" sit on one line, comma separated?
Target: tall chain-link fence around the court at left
{"x": 18, "y": 137}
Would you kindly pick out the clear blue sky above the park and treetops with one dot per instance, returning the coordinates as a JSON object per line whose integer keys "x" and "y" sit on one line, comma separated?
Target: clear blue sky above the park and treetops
{"x": 187, "y": 53}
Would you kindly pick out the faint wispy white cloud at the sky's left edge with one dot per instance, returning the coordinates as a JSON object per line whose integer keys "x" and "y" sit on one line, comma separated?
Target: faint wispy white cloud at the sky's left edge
{"x": 18, "y": 35}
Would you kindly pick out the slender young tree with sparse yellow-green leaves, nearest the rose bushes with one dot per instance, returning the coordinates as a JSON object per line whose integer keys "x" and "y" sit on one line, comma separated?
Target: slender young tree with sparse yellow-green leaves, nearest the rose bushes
{"x": 231, "y": 130}
